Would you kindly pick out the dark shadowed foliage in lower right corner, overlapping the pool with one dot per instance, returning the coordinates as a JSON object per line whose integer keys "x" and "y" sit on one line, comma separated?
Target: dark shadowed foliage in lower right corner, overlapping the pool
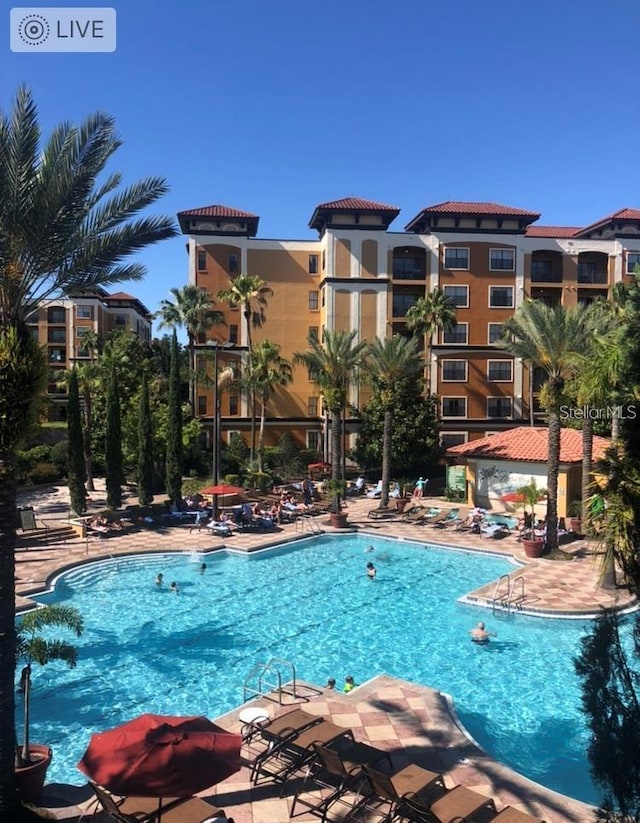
{"x": 611, "y": 701}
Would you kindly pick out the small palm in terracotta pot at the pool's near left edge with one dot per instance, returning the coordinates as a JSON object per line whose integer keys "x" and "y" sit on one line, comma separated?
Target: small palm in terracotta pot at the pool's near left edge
{"x": 32, "y": 760}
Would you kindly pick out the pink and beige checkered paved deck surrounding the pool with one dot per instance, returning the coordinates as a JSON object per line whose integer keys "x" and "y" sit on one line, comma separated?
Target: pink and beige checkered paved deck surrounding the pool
{"x": 413, "y": 722}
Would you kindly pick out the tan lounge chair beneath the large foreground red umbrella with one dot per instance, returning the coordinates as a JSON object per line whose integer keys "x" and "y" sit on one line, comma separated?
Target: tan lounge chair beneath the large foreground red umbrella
{"x": 141, "y": 809}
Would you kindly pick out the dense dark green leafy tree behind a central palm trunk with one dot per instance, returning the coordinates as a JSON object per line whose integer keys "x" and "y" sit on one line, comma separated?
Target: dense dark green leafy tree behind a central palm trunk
{"x": 415, "y": 440}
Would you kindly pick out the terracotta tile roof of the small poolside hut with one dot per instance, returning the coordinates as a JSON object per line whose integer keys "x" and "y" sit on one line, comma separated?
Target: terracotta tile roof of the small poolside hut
{"x": 528, "y": 444}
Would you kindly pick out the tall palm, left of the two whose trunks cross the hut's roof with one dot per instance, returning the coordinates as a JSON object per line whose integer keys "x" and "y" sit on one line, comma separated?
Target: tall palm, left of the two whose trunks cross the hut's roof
{"x": 547, "y": 337}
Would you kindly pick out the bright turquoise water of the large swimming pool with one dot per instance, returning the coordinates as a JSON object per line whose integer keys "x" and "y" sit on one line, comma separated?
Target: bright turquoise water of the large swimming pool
{"x": 148, "y": 650}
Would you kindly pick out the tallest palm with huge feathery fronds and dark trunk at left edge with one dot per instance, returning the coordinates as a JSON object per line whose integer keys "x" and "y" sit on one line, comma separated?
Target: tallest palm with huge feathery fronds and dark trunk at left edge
{"x": 65, "y": 226}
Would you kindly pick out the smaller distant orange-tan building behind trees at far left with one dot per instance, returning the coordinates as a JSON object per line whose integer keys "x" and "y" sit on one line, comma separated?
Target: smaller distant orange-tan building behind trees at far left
{"x": 60, "y": 325}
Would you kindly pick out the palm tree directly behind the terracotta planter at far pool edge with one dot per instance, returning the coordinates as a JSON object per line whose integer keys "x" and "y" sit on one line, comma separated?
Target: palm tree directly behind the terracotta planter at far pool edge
{"x": 334, "y": 365}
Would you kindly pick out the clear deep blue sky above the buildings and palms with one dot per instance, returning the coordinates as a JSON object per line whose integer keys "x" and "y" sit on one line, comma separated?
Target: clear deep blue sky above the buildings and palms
{"x": 274, "y": 106}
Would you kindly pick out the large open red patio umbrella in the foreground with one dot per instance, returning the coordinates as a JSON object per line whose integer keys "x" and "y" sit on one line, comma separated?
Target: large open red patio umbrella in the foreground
{"x": 158, "y": 756}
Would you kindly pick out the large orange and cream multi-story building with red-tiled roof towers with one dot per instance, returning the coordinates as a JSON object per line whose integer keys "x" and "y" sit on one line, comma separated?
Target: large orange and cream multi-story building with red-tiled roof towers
{"x": 361, "y": 275}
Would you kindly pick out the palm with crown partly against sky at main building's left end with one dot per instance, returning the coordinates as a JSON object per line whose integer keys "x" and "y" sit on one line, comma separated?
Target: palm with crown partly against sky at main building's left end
{"x": 194, "y": 311}
